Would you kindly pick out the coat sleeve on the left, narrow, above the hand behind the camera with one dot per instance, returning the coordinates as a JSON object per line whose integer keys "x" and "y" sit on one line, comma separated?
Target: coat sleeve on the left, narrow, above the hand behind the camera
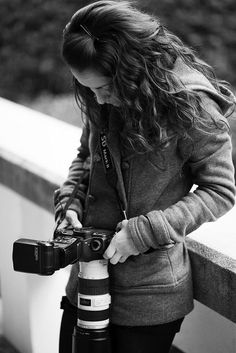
{"x": 80, "y": 166}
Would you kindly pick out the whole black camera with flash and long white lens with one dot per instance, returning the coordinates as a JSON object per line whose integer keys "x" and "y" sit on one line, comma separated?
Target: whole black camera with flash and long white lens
{"x": 86, "y": 245}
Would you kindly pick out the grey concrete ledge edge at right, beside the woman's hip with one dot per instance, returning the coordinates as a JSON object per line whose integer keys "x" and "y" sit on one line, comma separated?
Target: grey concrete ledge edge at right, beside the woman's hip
{"x": 214, "y": 279}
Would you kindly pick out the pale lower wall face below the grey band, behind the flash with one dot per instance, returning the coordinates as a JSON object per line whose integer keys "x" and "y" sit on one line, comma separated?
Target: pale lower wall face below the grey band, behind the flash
{"x": 30, "y": 305}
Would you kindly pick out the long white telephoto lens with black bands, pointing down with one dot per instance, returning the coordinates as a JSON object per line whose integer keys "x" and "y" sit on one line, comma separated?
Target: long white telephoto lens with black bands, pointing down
{"x": 91, "y": 333}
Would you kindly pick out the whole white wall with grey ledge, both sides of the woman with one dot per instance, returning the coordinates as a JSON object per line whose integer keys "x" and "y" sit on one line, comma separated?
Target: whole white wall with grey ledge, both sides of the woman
{"x": 35, "y": 153}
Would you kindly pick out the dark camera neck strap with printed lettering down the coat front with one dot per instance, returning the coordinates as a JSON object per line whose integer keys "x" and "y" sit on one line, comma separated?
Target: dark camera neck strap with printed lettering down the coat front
{"x": 110, "y": 169}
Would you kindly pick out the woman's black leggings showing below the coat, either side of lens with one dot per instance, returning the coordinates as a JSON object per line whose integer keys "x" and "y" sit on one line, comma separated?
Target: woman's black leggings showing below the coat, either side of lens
{"x": 124, "y": 339}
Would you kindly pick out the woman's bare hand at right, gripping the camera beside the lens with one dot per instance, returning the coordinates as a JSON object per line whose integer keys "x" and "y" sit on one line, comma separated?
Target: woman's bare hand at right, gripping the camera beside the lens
{"x": 121, "y": 245}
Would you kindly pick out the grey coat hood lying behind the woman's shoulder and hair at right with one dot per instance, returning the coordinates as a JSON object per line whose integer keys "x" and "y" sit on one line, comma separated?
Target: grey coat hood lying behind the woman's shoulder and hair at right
{"x": 195, "y": 80}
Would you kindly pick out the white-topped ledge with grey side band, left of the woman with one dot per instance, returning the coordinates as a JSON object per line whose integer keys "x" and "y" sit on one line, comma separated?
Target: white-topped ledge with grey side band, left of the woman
{"x": 35, "y": 152}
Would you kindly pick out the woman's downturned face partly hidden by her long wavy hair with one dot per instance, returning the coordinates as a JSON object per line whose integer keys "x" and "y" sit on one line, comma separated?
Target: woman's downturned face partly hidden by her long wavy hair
{"x": 99, "y": 84}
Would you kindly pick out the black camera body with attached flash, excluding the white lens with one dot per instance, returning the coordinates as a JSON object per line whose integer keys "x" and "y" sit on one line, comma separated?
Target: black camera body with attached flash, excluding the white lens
{"x": 69, "y": 246}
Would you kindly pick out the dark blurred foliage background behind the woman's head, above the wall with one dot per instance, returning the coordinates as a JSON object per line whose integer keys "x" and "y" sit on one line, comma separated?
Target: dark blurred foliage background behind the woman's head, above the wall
{"x": 33, "y": 73}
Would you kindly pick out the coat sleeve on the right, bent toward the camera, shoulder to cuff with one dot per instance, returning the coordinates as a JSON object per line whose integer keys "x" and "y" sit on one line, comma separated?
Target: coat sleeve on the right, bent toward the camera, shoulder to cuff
{"x": 212, "y": 171}
